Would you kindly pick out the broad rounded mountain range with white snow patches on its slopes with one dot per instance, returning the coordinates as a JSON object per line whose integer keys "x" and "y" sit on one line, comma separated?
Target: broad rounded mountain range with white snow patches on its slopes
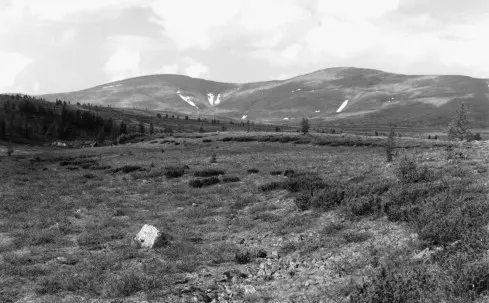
{"x": 334, "y": 96}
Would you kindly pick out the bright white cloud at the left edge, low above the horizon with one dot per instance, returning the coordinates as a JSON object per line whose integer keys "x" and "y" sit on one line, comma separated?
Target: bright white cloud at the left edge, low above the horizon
{"x": 11, "y": 64}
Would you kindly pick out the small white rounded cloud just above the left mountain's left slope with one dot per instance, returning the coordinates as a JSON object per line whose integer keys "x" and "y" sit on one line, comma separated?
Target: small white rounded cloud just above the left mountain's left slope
{"x": 123, "y": 64}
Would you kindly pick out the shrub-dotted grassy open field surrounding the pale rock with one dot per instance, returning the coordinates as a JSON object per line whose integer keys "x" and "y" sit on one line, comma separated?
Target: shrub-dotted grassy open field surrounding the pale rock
{"x": 256, "y": 217}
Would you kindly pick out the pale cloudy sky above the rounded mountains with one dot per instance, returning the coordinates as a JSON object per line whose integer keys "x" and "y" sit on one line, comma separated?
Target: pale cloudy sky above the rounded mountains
{"x": 49, "y": 46}
